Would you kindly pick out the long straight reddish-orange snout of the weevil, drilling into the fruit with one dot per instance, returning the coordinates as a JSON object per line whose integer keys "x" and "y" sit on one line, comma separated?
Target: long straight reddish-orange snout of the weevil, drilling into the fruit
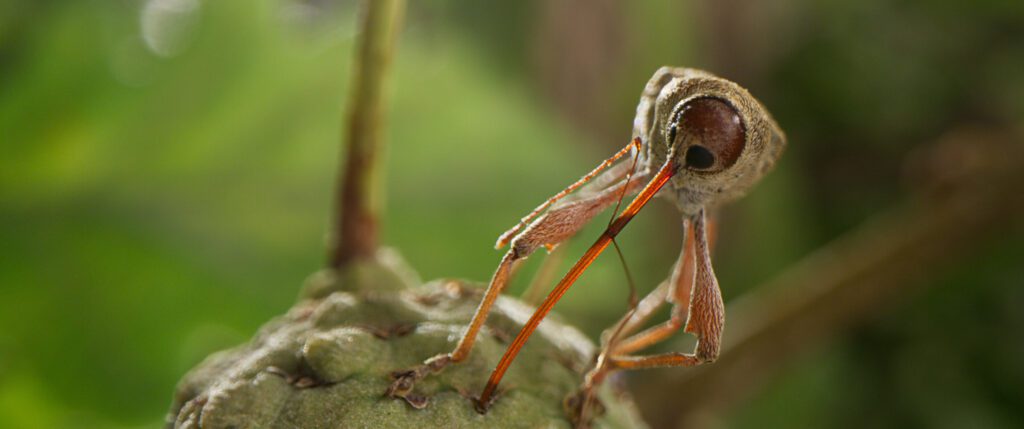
{"x": 657, "y": 183}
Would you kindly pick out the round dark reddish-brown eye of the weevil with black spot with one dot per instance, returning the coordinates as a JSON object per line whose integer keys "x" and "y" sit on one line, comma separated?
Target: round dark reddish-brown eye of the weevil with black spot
{"x": 713, "y": 134}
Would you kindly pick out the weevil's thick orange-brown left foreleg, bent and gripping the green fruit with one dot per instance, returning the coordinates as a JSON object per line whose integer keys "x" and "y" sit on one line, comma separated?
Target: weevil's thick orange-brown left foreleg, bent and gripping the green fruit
{"x": 553, "y": 228}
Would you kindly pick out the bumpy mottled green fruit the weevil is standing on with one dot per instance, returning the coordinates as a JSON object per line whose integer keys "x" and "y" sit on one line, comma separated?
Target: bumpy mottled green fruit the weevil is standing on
{"x": 327, "y": 363}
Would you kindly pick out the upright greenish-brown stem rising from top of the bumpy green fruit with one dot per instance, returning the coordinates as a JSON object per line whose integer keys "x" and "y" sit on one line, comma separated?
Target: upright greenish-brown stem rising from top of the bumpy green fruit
{"x": 360, "y": 200}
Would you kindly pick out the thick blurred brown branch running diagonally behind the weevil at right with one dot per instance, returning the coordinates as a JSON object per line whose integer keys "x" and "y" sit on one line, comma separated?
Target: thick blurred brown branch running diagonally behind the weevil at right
{"x": 973, "y": 194}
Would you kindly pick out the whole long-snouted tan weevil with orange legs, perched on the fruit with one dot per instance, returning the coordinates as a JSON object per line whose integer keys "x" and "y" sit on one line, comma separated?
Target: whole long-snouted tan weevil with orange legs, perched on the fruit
{"x": 699, "y": 141}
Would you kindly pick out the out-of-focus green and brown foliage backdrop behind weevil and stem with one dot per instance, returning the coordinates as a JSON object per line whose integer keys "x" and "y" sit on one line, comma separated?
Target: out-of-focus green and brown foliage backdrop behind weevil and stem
{"x": 167, "y": 168}
